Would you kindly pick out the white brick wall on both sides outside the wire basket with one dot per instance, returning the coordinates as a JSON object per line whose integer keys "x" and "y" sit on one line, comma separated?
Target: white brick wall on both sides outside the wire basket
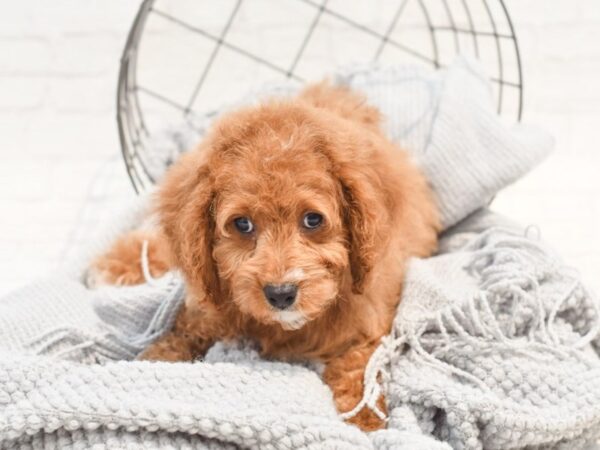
{"x": 58, "y": 74}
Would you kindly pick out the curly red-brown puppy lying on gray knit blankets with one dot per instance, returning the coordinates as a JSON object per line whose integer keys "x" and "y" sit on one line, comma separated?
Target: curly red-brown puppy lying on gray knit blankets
{"x": 292, "y": 224}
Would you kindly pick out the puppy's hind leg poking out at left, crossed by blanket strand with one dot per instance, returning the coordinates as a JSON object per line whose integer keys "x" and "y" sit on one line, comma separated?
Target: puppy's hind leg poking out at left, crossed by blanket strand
{"x": 122, "y": 264}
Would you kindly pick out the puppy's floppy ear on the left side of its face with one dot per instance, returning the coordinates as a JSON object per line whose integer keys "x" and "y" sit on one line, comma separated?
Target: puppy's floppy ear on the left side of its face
{"x": 186, "y": 211}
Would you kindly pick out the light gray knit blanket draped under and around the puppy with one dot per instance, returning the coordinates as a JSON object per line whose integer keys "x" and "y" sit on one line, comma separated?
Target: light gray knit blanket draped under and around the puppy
{"x": 495, "y": 343}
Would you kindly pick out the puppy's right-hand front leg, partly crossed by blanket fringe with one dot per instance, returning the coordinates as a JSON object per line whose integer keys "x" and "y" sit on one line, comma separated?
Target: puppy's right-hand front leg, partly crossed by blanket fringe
{"x": 345, "y": 375}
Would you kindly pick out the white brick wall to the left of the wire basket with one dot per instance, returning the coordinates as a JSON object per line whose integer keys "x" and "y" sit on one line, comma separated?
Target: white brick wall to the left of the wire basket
{"x": 58, "y": 74}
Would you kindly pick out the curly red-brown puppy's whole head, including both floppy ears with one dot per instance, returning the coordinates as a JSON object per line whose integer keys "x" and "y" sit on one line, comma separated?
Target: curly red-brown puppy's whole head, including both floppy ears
{"x": 282, "y": 209}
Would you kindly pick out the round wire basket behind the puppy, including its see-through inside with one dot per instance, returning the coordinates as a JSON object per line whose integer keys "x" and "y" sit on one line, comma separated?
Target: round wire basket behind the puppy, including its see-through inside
{"x": 186, "y": 58}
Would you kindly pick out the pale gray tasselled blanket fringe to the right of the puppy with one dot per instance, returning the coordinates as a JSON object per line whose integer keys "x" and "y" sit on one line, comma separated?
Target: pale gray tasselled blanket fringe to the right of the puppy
{"x": 511, "y": 269}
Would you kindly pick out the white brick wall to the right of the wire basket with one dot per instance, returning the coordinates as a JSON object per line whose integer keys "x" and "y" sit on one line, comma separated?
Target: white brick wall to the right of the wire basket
{"x": 560, "y": 47}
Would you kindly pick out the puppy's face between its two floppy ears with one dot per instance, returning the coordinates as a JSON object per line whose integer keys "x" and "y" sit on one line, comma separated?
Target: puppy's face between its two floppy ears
{"x": 280, "y": 241}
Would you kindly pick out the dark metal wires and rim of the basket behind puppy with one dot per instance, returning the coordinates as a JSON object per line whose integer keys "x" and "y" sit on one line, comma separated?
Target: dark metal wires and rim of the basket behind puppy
{"x": 130, "y": 116}
